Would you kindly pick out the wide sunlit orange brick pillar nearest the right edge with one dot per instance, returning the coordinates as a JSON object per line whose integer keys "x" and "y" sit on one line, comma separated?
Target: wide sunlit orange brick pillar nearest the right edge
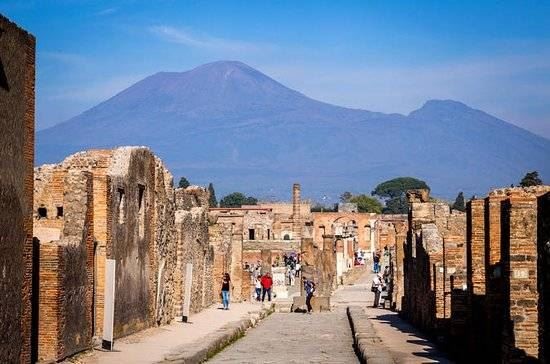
{"x": 519, "y": 257}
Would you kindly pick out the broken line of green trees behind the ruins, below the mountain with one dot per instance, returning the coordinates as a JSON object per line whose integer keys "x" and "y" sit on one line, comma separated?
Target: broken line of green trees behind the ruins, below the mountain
{"x": 388, "y": 197}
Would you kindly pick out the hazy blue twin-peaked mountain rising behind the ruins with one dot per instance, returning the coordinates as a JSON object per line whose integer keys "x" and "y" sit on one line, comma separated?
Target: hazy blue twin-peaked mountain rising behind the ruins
{"x": 230, "y": 124}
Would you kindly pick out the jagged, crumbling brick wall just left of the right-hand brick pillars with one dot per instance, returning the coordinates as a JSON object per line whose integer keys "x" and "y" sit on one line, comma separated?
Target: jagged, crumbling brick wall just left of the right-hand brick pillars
{"x": 435, "y": 260}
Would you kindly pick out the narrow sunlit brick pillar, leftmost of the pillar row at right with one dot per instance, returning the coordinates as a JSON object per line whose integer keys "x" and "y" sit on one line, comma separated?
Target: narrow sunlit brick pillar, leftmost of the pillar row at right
{"x": 475, "y": 222}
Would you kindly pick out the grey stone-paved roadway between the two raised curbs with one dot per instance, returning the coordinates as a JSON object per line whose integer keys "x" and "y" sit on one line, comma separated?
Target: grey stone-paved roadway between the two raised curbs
{"x": 295, "y": 338}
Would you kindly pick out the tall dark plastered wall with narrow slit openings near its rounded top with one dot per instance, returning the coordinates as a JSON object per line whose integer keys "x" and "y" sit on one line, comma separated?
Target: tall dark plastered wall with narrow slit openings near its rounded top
{"x": 132, "y": 173}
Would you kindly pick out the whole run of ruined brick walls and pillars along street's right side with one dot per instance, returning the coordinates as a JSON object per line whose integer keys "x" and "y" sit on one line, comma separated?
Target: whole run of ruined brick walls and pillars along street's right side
{"x": 497, "y": 274}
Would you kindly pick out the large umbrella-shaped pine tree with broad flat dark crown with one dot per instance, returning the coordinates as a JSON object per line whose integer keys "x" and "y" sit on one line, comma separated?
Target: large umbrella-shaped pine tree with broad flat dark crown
{"x": 393, "y": 192}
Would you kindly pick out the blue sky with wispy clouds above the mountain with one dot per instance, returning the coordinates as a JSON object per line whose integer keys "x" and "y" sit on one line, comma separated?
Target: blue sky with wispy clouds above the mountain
{"x": 388, "y": 56}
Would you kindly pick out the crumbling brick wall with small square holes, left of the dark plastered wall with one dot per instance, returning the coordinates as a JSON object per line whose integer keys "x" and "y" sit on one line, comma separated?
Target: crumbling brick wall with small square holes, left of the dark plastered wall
{"x": 66, "y": 269}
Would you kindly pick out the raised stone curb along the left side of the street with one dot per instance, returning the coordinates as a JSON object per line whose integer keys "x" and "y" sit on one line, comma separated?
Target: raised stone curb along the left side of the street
{"x": 208, "y": 346}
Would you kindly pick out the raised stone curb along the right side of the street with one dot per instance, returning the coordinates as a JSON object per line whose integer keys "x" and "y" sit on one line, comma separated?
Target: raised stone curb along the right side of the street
{"x": 368, "y": 346}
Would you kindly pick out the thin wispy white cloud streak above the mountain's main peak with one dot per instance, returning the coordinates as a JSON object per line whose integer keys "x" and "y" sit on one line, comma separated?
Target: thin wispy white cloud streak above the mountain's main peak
{"x": 206, "y": 42}
